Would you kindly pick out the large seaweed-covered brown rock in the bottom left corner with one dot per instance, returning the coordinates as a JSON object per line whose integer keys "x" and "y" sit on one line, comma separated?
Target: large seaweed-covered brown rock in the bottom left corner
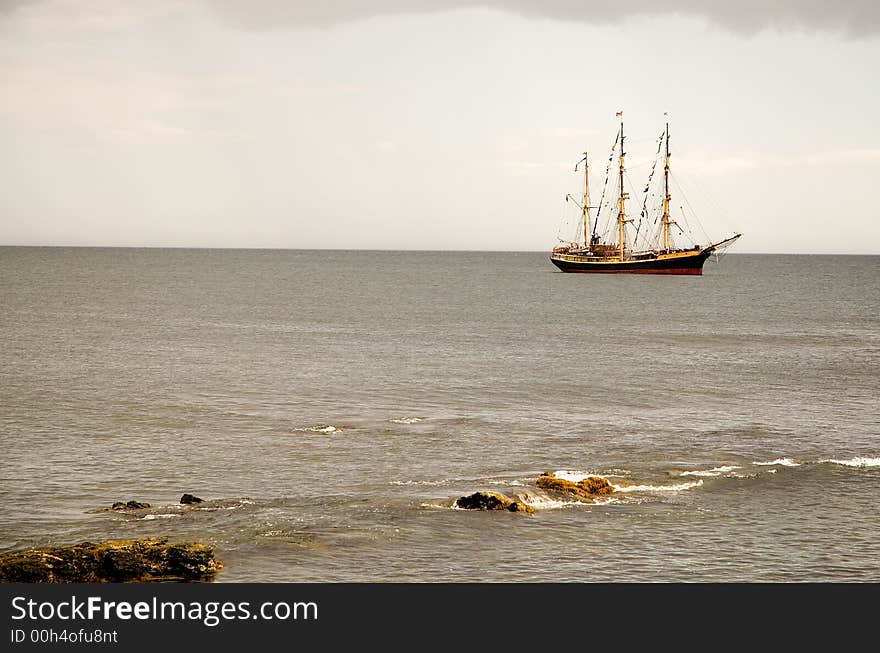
{"x": 113, "y": 561}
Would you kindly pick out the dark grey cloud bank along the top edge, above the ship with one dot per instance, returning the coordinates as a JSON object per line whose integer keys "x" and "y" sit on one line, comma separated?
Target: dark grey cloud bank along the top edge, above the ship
{"x": 850, "y": 17}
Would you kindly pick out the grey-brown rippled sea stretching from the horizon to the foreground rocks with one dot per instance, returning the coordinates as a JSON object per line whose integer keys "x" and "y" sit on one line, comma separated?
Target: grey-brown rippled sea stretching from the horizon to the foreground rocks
{"x": 330, "y": 406}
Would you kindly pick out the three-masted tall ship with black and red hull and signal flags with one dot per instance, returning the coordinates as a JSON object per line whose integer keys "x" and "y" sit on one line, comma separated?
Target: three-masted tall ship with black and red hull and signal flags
{"x": 650, "y": 242}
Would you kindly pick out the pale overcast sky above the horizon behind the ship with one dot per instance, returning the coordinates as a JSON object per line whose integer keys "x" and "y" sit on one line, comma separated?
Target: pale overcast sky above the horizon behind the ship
{"x": 431, "y": 124}
